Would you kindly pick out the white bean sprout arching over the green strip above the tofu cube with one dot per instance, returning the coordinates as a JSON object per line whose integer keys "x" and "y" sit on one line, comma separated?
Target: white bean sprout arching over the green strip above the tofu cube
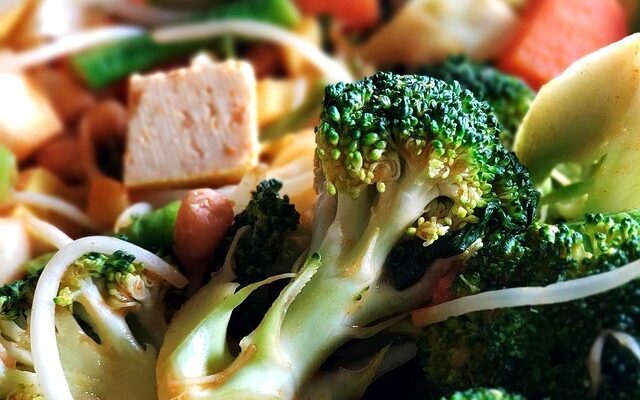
{"x": 332, "y": 69}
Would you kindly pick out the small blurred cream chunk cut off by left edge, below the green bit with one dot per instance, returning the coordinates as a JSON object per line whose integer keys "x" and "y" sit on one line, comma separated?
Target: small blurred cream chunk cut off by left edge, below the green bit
{"x": 14, "y": 249}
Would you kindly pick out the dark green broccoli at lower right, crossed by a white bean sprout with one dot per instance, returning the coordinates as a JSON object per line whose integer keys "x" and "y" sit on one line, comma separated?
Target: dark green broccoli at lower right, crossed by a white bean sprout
{"x": 542, "y": 351}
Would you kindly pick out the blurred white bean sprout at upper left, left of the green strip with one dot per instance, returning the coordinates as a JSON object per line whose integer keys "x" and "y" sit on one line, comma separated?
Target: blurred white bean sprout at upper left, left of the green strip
{"x": 69, "y": 44}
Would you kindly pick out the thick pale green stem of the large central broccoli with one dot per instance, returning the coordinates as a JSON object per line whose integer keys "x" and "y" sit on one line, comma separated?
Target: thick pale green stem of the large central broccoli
{"x": 291, "y": 343}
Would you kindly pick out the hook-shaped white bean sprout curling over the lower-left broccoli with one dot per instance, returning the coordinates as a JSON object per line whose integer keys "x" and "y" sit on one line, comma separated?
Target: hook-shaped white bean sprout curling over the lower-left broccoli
{"x": 44, "y": 347}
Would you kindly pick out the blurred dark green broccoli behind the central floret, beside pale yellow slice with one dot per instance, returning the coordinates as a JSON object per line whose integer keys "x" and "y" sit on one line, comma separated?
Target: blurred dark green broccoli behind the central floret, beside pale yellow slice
{"x": 508, "y": 96}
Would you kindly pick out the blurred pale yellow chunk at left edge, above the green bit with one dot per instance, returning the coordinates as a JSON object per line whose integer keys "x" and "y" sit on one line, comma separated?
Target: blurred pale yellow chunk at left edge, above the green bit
{"x": 27, "y": 118}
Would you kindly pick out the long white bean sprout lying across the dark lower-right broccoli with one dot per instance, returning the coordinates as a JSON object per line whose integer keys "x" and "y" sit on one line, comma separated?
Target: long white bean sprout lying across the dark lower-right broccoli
{"x": 529, "y": 296}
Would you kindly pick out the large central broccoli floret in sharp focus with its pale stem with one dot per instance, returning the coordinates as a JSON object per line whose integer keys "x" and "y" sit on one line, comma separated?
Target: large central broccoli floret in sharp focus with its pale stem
{"x": 398, "y": 158}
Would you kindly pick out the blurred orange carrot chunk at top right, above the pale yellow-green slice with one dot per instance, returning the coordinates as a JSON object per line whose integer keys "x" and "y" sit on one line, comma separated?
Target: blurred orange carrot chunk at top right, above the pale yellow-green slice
{"x": 555, "y": 33}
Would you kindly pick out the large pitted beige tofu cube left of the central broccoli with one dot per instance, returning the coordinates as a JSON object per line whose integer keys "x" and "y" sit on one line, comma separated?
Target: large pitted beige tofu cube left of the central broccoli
{"x": 192, "y": 126}
